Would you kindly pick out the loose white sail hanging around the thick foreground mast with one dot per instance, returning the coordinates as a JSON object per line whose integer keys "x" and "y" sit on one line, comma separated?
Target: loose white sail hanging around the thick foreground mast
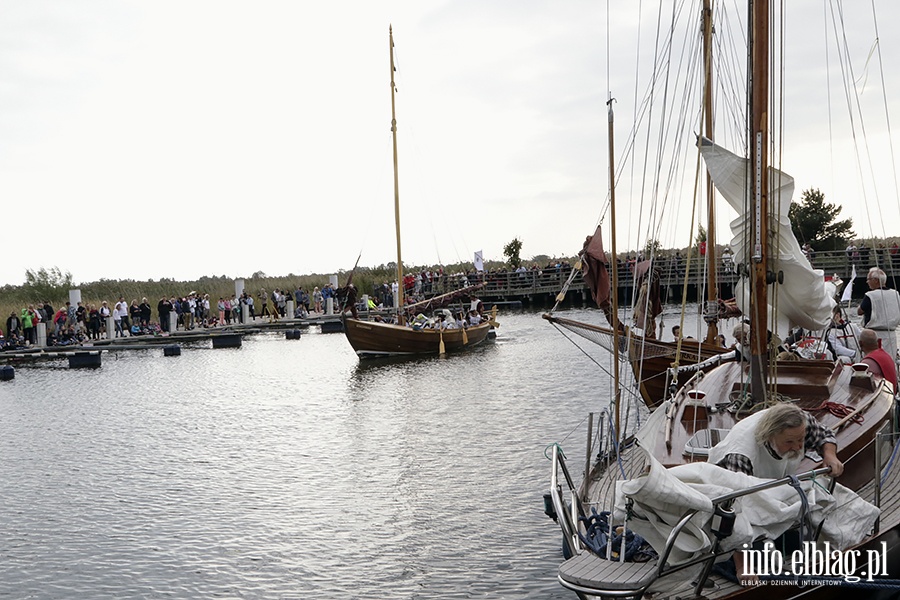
{"x": 803, "y": 299}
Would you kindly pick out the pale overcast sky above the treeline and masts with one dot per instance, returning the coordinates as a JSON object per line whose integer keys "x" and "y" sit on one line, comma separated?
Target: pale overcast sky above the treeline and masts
{"x": 148, "y": 140}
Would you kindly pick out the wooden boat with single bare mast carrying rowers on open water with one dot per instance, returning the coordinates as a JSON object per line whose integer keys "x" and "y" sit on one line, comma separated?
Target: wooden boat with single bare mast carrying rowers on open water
{"x": 374, "y": 338}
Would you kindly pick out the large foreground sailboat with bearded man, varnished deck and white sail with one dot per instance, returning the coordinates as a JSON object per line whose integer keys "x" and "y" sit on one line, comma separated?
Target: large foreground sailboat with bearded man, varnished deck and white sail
{"x": 761, "y": 477}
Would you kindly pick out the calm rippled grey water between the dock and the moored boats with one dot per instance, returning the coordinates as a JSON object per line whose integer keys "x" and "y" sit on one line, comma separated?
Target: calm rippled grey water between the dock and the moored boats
{"x": 288, "y": 469}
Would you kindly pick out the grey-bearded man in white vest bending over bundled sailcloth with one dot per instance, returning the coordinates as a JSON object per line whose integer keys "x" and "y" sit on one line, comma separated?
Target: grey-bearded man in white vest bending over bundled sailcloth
{"x": 771, "y": 444}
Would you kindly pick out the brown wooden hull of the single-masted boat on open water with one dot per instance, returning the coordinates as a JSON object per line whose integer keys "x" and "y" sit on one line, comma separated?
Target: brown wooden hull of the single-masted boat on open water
{"x": 371, "y": 339}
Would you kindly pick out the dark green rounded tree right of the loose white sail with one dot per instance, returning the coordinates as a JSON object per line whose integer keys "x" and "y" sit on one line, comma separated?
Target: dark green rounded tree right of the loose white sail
{"x": 813, "y": 222}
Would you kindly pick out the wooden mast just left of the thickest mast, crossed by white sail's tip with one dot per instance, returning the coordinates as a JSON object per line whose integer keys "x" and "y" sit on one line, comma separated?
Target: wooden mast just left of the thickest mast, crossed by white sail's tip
{"x": 712, "y": 284}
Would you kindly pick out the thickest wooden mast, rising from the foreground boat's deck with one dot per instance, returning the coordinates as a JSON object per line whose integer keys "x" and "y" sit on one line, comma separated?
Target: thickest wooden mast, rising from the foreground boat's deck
{"x": 759, "y": 141}
